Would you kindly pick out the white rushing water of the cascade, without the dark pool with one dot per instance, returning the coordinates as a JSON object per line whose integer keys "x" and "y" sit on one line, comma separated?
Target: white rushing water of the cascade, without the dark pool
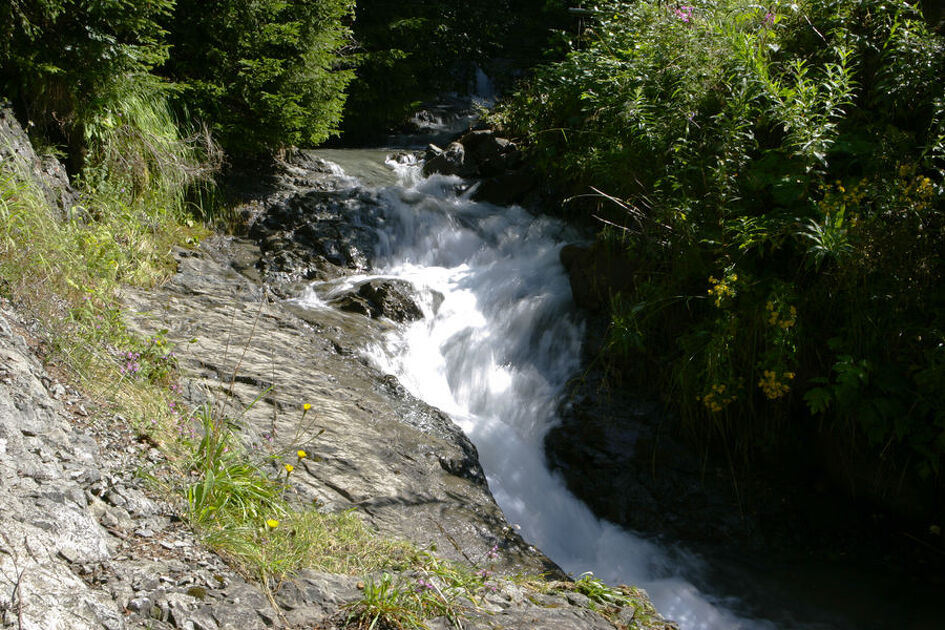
{"x": 498, "y": 342}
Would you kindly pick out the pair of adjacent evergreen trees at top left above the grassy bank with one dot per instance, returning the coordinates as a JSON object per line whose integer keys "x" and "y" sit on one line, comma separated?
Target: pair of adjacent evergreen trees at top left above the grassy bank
{"x": 258, "y": 75}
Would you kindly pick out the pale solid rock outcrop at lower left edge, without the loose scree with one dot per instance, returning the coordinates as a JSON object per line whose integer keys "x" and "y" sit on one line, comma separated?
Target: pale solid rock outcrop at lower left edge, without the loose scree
{"x": 48, "y": 530}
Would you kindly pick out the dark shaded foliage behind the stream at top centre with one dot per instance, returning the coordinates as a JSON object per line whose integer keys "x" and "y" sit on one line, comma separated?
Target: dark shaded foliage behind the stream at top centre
{"x": 412, "y": 52}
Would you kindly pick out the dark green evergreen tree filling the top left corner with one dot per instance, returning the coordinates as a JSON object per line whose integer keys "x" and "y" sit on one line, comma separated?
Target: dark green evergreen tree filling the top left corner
{"x": 61, "y": 61}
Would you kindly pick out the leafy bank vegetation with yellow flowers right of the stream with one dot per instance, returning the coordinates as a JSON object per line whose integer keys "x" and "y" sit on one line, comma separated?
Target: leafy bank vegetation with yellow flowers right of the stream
{"x": 772, "y": 177}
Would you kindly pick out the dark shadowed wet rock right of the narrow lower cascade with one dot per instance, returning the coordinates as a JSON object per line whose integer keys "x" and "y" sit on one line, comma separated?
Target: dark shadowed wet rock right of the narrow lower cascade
{"x": 620, "y": 456}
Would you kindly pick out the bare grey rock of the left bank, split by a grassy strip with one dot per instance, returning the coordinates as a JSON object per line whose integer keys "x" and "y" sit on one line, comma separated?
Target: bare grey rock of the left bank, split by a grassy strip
{"x": 86, "y": 541}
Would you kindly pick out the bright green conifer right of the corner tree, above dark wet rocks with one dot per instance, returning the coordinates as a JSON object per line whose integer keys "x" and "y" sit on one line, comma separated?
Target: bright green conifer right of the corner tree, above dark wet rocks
{"x": 262, "y": 74}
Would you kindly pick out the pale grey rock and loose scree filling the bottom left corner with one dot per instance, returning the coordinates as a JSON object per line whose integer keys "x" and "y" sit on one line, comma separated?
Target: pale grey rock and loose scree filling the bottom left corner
{"x": 81, "y": 544}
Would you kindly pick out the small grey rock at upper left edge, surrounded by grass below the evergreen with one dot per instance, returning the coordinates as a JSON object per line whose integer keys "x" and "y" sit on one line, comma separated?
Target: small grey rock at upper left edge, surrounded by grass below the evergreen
{"x": 47, "y": 172}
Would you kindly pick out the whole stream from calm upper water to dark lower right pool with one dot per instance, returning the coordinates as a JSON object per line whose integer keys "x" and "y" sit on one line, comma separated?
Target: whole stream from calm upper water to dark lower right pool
{"x": 498, "y": 341}
